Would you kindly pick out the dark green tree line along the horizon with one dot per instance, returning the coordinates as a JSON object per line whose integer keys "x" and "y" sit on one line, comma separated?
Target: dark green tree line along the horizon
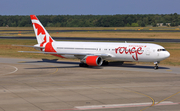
{"x": 137, "y": 20}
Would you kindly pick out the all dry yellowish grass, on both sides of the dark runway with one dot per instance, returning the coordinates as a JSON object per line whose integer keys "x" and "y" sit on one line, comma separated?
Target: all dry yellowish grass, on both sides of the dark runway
{"x": 7, "y": 50}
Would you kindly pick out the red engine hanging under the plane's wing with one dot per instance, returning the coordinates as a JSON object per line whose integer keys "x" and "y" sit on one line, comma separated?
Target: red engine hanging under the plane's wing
{"x": 93, "y": 60}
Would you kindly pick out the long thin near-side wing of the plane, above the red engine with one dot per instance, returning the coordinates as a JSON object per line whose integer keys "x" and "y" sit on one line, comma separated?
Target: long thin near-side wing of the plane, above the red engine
{"x": 59, "y": 53}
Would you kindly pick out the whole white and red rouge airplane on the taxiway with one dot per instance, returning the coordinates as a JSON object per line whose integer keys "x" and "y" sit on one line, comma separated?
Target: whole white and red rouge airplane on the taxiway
{"x": 96, "y": 53}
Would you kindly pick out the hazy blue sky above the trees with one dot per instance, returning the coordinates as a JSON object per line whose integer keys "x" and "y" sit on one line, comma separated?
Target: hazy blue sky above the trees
{"x": 87, "y": 7}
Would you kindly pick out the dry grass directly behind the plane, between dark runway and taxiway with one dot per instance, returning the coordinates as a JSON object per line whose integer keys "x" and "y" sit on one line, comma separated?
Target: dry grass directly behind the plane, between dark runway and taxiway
{"x": 7, "y": 50}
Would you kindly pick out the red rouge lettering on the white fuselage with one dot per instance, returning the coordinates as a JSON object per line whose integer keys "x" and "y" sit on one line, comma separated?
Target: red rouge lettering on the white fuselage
{"x": 134, "y": 51}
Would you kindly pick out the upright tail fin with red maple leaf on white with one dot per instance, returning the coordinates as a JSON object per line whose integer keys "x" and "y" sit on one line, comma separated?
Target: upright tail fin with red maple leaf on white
{"x": 41, "y": 34}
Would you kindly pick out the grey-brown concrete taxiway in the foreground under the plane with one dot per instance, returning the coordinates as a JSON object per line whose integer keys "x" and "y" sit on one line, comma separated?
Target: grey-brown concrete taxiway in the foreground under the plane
{"x": 50, "y": 85}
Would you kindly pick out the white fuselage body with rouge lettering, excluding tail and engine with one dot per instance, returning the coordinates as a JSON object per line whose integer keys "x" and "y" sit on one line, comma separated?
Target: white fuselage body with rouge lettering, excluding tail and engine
{"x": 145, "y": 52}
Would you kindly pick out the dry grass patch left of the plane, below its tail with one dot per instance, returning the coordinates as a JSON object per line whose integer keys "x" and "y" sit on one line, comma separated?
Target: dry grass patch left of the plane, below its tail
{"x": 7, "y": 50}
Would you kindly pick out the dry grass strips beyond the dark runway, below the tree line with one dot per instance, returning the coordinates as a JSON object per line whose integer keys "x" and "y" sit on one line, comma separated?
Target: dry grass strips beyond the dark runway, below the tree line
{"x": 97, "y": 34}
